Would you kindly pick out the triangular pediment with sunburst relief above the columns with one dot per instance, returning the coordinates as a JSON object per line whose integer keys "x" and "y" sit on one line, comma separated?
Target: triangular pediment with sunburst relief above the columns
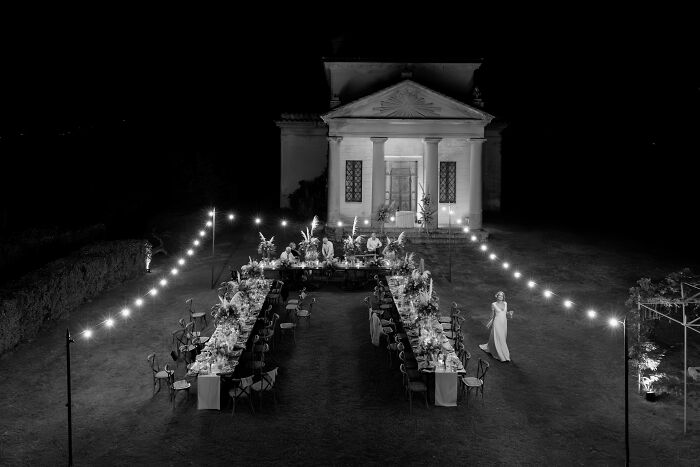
{"x": 408, "y": 100}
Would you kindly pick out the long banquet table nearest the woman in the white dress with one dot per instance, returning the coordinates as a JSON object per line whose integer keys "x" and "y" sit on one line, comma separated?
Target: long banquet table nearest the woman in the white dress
{"x": 446, "y": 383}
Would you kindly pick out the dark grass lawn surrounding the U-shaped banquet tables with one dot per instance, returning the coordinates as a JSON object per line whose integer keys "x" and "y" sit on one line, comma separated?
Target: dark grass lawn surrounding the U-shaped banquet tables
{"x": 559, "y": 402}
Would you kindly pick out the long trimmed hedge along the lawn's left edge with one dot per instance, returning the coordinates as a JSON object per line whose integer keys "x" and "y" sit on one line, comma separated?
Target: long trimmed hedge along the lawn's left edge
{"x": 48, "y": 293}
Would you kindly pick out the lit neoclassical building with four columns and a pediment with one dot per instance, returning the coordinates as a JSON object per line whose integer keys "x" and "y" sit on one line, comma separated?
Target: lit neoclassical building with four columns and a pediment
{"x": 393, "y": 132}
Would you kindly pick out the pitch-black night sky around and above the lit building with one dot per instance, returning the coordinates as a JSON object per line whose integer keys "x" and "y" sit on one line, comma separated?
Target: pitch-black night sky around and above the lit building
{"x": 602, "y": 115}
